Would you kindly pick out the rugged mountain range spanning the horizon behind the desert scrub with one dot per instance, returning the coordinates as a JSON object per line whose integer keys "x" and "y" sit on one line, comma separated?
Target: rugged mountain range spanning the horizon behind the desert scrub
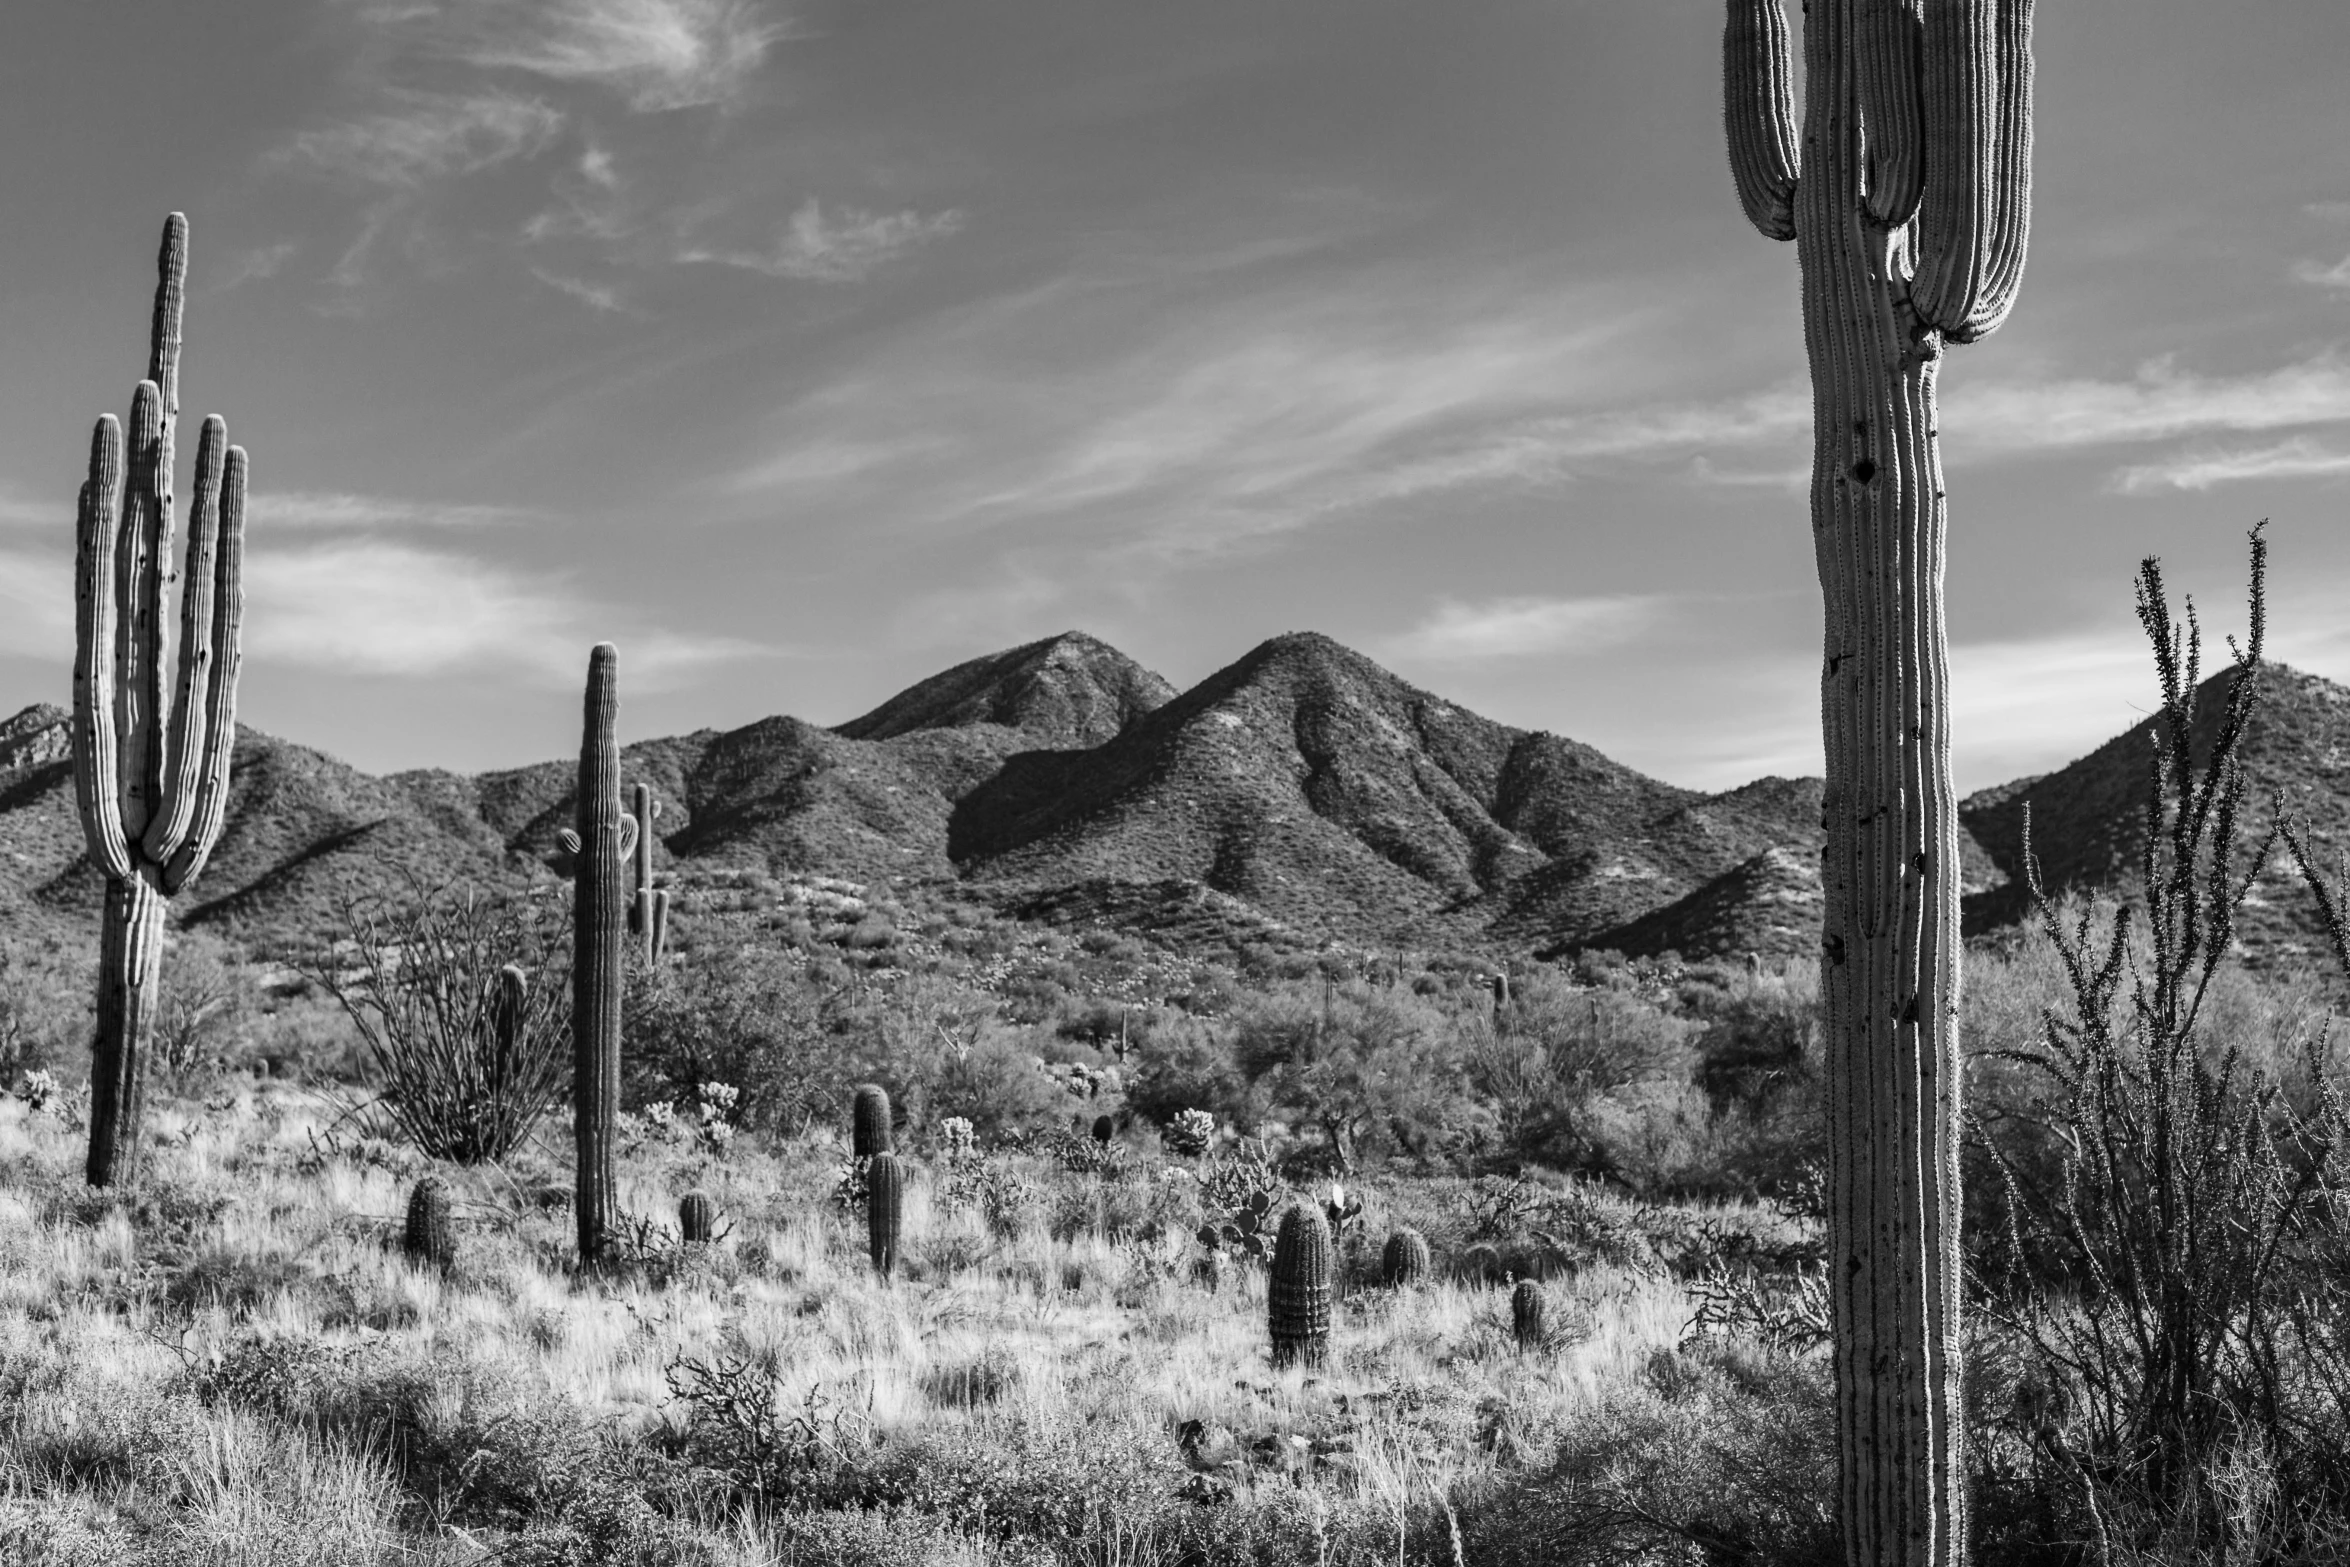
{"x": 1303, "y": 793}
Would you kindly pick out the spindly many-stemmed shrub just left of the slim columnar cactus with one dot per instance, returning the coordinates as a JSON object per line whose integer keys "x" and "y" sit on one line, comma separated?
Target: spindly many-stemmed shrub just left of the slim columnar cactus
{"x": 417, "y": 974}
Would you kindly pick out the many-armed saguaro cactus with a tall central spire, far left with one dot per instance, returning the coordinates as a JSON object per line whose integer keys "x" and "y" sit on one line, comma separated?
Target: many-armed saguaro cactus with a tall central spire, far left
{"x": 149, "y": 746}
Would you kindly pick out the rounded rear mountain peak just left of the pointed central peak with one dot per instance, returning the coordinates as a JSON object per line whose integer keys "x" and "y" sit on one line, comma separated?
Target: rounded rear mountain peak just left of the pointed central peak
{"x": 1070, "y": 692}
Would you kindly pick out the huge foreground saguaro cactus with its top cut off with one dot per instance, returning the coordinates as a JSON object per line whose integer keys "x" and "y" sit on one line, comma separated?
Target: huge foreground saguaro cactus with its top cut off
{"x": 1909, "y": 206}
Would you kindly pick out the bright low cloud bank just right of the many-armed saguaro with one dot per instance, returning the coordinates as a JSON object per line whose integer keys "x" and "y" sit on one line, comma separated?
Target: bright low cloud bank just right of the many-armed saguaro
{"x": 384, "y": 607}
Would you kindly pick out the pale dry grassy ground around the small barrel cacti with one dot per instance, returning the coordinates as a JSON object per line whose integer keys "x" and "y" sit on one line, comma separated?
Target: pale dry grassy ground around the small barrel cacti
{"x": 239, "y": 1366}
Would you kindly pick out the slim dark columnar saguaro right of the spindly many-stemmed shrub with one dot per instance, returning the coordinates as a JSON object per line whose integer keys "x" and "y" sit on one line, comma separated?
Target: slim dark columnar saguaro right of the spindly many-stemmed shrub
{"x": 600, "y": 842}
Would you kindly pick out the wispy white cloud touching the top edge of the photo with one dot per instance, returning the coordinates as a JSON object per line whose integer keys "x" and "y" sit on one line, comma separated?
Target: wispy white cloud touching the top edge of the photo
{"x": 659, "y": 55}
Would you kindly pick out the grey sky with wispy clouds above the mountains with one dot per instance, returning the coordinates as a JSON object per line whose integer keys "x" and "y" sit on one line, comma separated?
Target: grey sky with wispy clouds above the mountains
{"x": 805, "y": 351}
